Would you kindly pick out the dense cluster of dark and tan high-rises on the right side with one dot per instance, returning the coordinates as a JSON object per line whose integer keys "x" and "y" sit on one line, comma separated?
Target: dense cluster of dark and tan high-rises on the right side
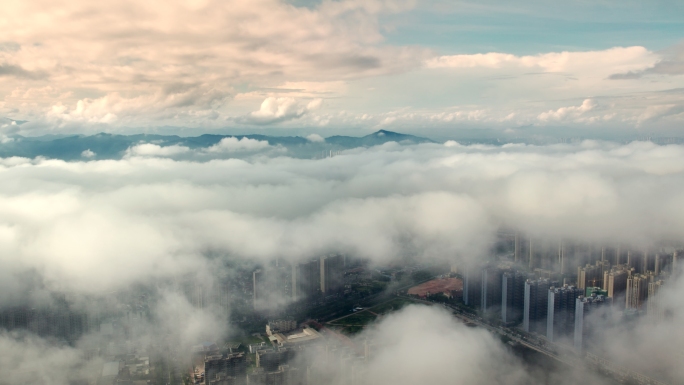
{"x": 552, "y": 291}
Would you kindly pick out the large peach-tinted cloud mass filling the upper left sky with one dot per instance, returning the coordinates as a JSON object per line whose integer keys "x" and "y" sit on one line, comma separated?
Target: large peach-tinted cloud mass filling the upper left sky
{"x": 129, "y": 63}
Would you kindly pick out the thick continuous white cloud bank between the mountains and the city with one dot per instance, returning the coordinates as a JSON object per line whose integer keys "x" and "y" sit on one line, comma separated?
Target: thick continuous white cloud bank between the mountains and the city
{"x": 114, "y": 222}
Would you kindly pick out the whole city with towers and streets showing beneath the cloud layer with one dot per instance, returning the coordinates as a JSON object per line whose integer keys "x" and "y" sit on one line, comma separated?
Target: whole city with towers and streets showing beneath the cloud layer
{"x": 301, "y": 322}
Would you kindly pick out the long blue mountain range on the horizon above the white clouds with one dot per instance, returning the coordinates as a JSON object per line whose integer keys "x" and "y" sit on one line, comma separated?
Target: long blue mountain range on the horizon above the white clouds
{"x": 109, "y": 146}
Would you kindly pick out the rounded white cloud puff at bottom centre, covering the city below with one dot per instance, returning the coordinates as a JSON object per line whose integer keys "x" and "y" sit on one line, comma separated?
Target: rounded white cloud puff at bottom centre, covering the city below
{"x": 408, "y": 338}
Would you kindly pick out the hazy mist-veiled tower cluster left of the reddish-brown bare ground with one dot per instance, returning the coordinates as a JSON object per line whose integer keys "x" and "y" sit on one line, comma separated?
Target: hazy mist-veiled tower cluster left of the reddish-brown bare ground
{"x": 312, "y": 279}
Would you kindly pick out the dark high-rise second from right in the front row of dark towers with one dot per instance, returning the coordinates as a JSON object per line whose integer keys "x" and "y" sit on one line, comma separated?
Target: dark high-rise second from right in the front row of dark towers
{"x": 560, "y": 318}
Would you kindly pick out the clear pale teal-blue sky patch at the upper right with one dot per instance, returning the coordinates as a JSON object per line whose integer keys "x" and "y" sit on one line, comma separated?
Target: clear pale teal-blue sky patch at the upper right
{"x": 531, "y": 27}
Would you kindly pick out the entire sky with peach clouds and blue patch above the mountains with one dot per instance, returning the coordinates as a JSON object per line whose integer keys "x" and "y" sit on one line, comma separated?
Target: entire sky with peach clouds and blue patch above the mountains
{"x": 435, "y": 68}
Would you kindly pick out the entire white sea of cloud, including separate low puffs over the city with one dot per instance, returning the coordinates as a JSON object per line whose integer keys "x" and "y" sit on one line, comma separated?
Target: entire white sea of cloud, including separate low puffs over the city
{"x": 95, "y": 227}
